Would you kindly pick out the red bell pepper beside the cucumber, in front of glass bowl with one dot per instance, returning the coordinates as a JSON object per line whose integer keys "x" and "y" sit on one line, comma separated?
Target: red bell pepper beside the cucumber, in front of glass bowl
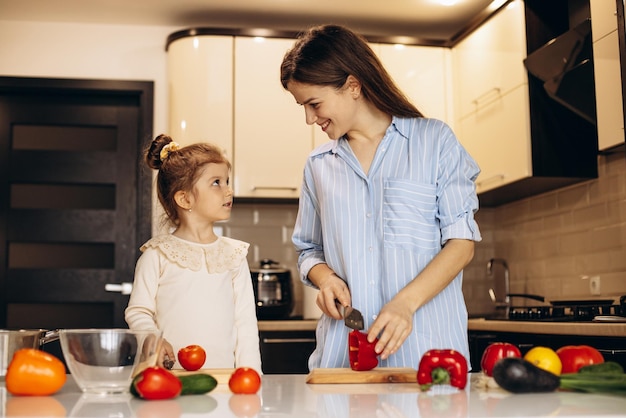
{"x": 156, "y": 383}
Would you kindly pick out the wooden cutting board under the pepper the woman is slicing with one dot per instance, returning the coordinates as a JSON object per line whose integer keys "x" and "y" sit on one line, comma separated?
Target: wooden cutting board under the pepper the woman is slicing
{"x": 377, "y": 375}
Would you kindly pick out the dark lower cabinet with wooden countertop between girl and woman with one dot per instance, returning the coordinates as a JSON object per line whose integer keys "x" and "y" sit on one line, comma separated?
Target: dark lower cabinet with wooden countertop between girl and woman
{"x": 286, "y": 345}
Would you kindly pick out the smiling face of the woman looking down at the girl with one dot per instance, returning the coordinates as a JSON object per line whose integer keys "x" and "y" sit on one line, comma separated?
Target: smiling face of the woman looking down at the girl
{"x": 333, "y": 110}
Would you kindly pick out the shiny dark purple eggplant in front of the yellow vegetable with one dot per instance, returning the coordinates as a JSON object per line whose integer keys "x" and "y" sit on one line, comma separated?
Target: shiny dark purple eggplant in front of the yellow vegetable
{"x": 520, "y": 376}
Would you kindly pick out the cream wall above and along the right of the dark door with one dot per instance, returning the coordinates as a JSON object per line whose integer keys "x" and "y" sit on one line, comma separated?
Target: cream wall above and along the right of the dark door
{"x": 66, "y": 50}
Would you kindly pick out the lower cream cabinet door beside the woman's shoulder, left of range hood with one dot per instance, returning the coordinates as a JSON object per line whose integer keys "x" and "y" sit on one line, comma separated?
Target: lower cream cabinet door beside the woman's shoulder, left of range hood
{"x": 498, "y": 138}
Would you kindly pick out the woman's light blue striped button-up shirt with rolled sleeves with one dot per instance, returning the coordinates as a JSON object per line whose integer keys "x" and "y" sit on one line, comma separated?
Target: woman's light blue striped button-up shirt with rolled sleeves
{"x": 378, "y": 231}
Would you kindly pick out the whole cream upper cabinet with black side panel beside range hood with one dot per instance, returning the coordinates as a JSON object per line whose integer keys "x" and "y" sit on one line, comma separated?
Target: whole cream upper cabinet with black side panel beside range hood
{"x": 524, "y": 141}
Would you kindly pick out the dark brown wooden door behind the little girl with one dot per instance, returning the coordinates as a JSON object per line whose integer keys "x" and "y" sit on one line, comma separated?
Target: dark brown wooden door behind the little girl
{"x": 75, "y": 199}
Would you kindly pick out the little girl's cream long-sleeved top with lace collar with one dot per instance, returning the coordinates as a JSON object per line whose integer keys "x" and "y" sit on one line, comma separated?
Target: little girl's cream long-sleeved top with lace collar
{"x": 198, "y": 294}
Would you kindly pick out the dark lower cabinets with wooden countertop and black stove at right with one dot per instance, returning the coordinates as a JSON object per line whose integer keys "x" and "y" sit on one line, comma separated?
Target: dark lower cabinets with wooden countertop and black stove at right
{"x": 600, "y": 323}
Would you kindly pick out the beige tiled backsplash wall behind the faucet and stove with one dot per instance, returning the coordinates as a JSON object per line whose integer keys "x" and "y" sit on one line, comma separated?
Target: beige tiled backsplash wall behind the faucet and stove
{"x": 554, "y": 241}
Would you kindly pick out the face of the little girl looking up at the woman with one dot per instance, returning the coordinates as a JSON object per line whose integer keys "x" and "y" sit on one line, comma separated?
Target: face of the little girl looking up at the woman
{"x": 212, "y": 197}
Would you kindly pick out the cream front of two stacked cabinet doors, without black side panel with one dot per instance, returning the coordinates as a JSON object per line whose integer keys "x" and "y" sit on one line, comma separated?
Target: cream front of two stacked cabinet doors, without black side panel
{"x": 492, "y": 99}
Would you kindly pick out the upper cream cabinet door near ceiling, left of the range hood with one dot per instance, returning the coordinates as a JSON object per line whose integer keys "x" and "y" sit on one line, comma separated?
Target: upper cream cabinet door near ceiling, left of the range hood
{"x": 489, "y": 62}
